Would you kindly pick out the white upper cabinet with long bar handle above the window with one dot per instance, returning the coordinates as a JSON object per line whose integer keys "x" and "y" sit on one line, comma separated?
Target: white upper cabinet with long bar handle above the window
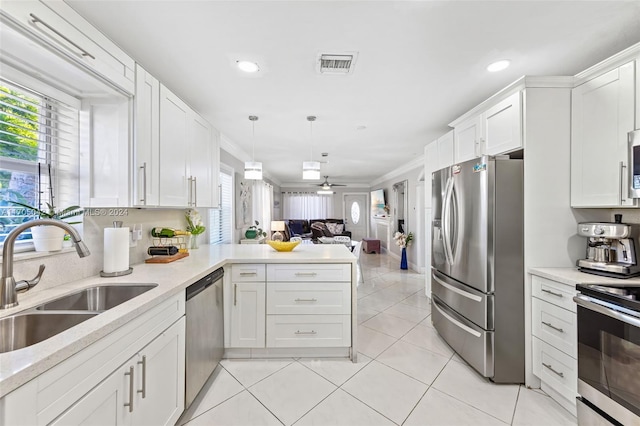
{"x": 56, "y": 25}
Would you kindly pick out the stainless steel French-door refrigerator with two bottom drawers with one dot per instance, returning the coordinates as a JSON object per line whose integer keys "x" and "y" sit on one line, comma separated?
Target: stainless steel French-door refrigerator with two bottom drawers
{"x": 477, "y": 264}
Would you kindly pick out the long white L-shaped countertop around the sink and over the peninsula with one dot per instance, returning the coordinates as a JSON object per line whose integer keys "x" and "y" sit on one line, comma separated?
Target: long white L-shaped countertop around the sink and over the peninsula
{"x": 20, "y": 366}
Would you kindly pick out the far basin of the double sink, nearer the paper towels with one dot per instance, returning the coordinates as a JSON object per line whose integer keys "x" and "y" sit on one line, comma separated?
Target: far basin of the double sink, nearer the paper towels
{"x": 97, "y": 299}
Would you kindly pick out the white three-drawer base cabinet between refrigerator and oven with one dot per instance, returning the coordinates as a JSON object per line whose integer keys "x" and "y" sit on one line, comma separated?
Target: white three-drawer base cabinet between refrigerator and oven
{"x": 555, "y": 339}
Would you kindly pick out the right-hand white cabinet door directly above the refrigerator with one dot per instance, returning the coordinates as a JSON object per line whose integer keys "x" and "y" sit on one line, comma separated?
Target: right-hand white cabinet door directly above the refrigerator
{"x": 502, "y": 126}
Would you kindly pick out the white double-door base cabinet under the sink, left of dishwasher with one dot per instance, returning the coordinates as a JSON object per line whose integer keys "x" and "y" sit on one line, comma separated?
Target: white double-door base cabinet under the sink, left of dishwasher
{"x": 132, "y": 376}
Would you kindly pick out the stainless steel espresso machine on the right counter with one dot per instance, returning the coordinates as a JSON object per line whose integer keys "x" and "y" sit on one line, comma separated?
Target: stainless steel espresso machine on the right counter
{"x": 611, "y": 250}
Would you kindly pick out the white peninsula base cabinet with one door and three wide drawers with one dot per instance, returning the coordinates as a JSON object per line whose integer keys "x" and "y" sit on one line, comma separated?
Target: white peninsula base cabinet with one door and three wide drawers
{"x": 293, "y": 306}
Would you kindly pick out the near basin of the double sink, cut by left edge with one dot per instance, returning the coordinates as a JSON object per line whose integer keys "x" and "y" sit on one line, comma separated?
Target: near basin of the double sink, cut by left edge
{"x": 22, "y": 330}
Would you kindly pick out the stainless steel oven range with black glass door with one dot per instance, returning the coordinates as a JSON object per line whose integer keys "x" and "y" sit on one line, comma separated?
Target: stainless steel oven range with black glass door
{"x": 608, "y": 354}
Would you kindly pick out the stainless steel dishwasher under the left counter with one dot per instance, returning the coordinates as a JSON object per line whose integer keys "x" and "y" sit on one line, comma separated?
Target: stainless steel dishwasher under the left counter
{"x": 204, "y": 341}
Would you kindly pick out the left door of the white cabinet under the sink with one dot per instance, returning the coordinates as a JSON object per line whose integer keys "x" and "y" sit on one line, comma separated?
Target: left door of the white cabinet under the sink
{"x": 105, "y": 404}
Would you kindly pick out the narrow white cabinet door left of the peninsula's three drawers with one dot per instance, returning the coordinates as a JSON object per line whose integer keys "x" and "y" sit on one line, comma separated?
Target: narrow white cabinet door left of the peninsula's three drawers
{"x": 248, "y": 315}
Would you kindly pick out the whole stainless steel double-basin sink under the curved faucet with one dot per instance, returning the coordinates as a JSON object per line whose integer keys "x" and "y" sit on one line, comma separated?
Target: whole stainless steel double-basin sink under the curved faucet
{"x": 48, "y": 319}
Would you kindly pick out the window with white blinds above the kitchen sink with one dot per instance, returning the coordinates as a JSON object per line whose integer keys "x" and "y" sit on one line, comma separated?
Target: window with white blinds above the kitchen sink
{"x": 38, "y": 154}
